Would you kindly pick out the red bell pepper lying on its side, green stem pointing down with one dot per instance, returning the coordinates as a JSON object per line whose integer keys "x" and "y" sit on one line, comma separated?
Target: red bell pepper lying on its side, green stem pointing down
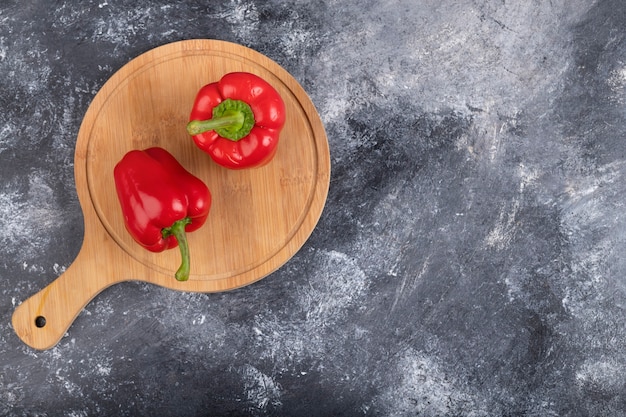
{"x": 160, "y": 201}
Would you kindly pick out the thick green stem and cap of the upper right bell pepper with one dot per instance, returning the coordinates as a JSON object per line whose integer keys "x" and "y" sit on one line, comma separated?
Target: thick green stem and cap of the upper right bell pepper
{"x": 232, "y": 119}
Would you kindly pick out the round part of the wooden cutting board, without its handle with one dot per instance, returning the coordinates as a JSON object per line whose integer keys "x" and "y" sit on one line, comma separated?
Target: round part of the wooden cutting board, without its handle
{"x": 259, "y": 217}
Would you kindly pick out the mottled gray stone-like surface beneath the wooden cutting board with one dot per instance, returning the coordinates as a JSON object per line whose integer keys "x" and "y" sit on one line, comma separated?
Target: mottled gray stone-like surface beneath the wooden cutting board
{"x": 469, "y": 261}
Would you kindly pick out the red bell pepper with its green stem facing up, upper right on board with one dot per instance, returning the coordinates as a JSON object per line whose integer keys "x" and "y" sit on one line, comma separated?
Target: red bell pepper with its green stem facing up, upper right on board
{"x": 237, "y": 120}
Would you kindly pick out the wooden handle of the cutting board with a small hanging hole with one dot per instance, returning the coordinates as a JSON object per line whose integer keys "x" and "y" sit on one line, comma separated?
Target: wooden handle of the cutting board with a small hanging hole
{"x": 43, "y": 319}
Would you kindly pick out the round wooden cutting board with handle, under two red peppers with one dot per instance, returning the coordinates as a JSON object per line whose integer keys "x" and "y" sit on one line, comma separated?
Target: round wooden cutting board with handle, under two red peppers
{"x": 259, "y": 217}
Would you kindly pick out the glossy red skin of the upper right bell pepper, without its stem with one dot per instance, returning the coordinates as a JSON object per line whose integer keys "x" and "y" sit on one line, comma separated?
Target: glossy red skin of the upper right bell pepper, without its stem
{"x": 258, "y": 146}
